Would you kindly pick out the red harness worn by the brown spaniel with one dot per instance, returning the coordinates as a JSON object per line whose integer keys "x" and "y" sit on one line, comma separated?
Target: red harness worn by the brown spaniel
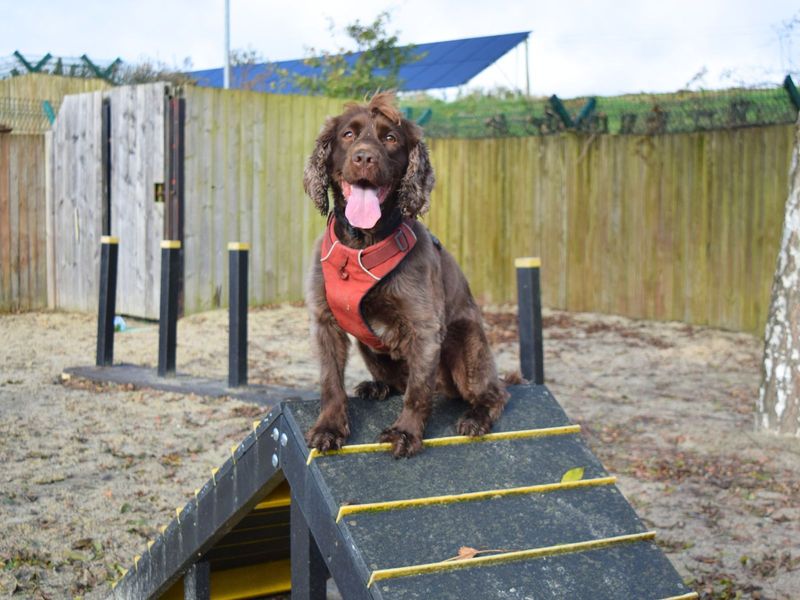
{"x": 349, "y": 274}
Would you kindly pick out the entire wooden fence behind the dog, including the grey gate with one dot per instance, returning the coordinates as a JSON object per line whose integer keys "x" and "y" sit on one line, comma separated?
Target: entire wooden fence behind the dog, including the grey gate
{"x": 681, "y": 227}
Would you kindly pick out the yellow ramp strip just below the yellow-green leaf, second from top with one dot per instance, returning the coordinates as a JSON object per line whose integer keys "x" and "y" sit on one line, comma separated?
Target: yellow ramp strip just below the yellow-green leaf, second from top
{"x": 350, "y": 509}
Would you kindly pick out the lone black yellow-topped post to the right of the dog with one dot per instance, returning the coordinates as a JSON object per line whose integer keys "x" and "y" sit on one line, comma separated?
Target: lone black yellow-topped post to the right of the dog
{"x": 529, "y": 299}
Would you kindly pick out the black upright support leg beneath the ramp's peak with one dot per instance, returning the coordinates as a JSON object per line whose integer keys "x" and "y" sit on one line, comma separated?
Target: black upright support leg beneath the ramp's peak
{"x": 309, "y": 573}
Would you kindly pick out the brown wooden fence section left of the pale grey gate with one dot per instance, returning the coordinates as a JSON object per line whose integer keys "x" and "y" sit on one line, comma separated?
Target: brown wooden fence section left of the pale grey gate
{"x": 23, "y": 267}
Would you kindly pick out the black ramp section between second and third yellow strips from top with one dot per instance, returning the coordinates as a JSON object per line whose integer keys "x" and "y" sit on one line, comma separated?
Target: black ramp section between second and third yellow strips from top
{"x": 434, "y": 533}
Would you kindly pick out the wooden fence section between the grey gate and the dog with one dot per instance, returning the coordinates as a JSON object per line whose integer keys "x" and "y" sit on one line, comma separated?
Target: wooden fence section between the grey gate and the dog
{"x": 245, "y": 153}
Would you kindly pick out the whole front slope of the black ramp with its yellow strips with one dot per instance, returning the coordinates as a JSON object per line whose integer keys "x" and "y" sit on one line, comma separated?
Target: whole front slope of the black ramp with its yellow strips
{"x": 573, "y": 540}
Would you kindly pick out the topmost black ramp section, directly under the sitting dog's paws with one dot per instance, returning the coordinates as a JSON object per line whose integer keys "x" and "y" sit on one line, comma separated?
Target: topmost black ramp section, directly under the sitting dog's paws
{"x": 530, "y": 407}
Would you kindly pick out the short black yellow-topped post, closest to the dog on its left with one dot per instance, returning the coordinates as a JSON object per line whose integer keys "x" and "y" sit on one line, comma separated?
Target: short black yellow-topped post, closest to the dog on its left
{"x": 237, "y": 314}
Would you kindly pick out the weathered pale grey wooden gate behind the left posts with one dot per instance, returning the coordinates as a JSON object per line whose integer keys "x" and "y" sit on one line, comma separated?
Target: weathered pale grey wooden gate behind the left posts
{"x": 109, "y": 186}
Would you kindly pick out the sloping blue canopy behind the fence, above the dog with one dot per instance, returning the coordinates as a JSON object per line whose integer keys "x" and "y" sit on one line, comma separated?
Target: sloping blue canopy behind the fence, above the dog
{"x": 440, "y": 65}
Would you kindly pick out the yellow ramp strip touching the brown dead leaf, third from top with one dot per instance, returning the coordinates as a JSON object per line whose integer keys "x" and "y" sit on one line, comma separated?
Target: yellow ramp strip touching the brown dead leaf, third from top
{"x": 452, "y": 565}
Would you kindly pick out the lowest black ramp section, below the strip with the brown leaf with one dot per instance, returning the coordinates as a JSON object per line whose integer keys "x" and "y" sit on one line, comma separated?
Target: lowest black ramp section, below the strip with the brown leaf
{"x": 630, "y": 571}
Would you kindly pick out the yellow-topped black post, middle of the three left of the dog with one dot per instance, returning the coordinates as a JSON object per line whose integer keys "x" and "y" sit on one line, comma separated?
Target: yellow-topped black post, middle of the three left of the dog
{"x": 168, "y": 317}
